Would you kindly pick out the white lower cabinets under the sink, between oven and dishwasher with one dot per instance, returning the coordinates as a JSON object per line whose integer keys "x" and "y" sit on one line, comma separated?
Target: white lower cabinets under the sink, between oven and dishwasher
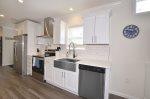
{"x": 61, "y": 78}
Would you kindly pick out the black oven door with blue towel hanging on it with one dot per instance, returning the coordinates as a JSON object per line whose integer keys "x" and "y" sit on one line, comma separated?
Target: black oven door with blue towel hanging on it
{"x": 38, "y": 65}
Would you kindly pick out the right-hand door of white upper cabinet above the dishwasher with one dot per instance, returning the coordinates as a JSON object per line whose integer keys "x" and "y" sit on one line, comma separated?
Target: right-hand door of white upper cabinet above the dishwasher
{"x": 101, "y": 35}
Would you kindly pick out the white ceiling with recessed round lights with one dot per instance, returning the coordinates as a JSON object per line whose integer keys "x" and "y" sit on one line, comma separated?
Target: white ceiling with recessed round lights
{"x": 38, "y": 9}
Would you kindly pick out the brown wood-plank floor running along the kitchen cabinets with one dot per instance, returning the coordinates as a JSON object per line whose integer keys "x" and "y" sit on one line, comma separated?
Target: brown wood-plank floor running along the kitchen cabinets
{"x": 14, "y": 86}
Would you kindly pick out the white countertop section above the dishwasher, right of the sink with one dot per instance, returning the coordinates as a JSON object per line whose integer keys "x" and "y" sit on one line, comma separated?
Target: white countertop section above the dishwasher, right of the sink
{"x": 96, "y": 63}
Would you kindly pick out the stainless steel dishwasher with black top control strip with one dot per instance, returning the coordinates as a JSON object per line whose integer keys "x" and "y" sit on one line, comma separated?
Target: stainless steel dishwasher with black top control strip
{"x": 91, "y": 82}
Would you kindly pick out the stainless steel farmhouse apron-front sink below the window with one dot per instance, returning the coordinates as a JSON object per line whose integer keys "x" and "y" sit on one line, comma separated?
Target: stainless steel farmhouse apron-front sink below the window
{"x": 66, "y": 64}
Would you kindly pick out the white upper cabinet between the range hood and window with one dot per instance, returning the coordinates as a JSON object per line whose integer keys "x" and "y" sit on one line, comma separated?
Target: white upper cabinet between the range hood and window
{"x": 59, "y": 31}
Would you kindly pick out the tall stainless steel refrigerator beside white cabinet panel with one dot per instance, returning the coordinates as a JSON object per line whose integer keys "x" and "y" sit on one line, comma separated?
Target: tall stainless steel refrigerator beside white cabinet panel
{"x": 20, "y": 54}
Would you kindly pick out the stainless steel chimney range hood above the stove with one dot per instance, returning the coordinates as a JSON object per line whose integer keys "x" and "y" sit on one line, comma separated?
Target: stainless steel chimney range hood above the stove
{"x": 48, "y": 27}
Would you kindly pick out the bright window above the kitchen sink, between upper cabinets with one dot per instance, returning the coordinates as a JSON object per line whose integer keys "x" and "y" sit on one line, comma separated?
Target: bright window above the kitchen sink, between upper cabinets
{"x": 75, "y": 34}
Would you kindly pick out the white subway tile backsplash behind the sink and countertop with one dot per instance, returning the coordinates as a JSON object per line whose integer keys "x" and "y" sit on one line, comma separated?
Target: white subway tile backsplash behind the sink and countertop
{"x": 93, "y": 52}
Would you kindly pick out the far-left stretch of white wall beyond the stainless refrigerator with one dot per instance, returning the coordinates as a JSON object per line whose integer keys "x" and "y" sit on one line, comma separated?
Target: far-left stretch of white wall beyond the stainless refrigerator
{"x": 7, "y": 49}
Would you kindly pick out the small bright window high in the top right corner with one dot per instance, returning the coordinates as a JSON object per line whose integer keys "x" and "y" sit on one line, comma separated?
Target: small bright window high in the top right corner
{"x": 142, "y": 6}
